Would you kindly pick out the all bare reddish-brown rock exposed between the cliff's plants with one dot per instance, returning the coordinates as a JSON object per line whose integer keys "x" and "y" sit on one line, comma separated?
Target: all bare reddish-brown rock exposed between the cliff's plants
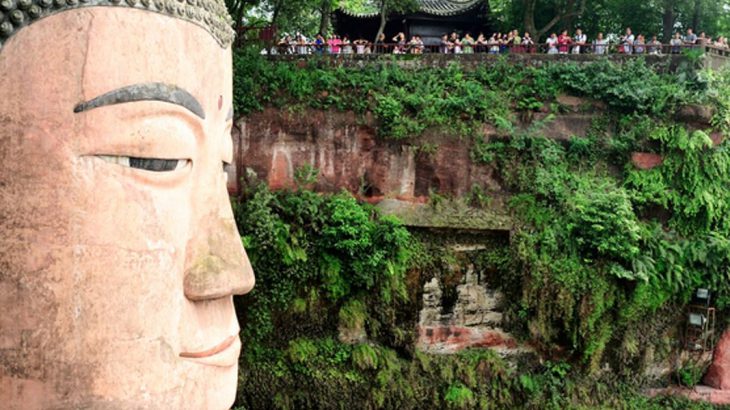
{"x": 402, "y": 176}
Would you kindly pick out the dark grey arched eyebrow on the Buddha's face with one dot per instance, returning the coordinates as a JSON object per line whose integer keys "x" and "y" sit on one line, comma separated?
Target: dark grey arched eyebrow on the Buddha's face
{"x": 145, "y": 92}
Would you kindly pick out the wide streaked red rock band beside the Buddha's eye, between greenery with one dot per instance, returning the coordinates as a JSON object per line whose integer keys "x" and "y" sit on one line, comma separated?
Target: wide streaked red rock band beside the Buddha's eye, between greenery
{"x": 345, "y": 150}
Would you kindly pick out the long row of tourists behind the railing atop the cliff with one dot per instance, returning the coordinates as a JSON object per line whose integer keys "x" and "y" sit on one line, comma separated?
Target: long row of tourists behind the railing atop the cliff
{"x": 499, "y": 43}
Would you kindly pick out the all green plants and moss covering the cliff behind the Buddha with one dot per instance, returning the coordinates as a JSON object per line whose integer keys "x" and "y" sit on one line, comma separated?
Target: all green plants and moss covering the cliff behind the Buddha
{"x": 602, "y": 258}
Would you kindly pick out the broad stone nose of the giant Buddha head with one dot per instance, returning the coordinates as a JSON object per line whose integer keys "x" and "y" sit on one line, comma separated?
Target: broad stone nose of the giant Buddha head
{"x": 216, "y": 263}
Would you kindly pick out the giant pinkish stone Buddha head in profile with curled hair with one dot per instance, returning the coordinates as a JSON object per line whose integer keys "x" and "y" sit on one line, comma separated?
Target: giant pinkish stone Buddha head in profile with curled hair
{"x": 119, "y": 255}
